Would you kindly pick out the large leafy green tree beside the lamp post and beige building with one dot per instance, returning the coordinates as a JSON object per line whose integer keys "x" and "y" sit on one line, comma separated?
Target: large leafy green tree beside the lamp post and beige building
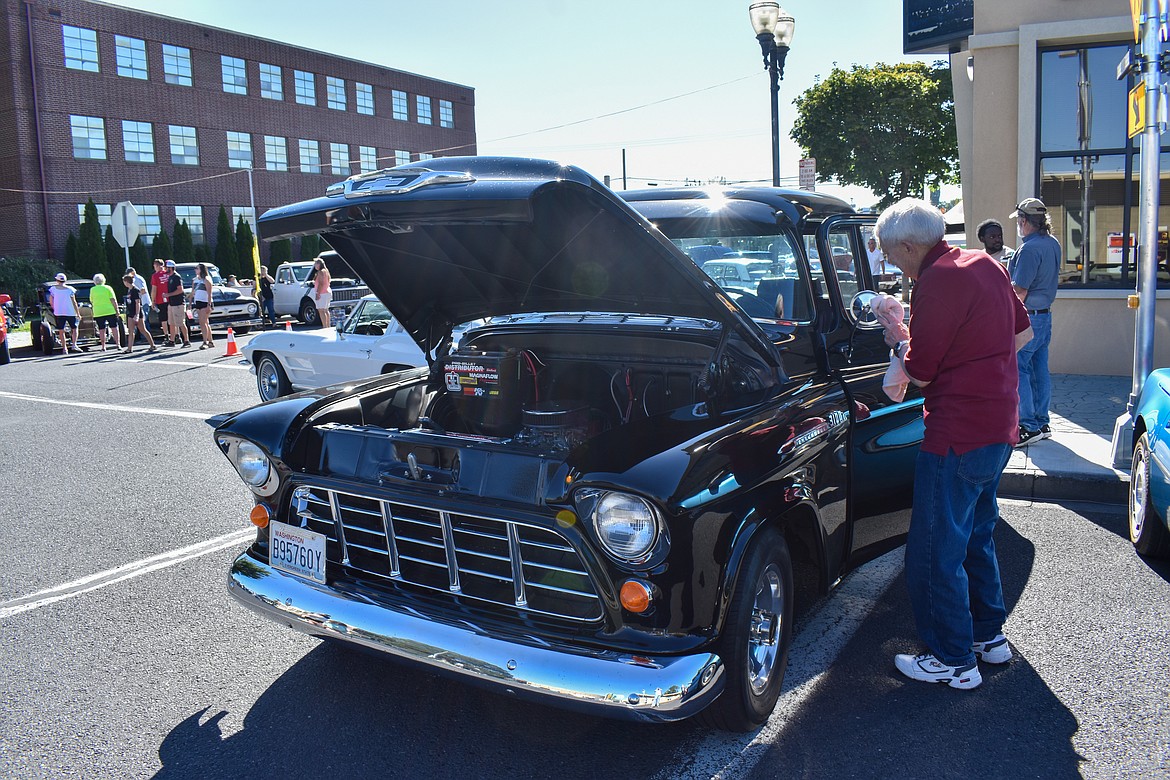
{"x": 887, "y": 128}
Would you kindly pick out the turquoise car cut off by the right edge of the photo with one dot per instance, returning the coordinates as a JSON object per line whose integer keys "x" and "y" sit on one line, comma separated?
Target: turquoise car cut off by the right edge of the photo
{"x": 1150, "y": 480}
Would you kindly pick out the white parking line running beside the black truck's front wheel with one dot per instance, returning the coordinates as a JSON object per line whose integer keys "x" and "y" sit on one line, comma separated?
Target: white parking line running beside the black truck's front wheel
{"x": 814, "y": 651}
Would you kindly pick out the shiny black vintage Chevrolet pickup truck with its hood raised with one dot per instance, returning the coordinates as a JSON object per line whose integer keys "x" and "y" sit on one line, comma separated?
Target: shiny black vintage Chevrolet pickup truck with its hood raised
{"x": 600, "y": 500}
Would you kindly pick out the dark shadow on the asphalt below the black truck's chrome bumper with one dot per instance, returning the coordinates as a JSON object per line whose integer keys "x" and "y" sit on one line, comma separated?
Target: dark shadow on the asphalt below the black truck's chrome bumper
{"x": 341, "y": 713}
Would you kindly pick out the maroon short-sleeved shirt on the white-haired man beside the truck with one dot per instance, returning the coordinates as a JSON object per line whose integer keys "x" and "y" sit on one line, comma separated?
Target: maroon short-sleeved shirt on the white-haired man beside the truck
{"x": 965, "y": 317}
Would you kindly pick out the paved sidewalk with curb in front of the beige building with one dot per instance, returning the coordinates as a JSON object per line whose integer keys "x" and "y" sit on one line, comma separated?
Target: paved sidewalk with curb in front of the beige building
{"x": 1076, "y": 464}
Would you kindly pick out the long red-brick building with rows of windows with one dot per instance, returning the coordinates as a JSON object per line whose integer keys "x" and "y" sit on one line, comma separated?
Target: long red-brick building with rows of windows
{"x": 114, "y": 105}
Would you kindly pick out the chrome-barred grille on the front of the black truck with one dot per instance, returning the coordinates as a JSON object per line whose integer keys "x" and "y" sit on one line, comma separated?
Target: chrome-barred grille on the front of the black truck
{"x": 490, "y": 560}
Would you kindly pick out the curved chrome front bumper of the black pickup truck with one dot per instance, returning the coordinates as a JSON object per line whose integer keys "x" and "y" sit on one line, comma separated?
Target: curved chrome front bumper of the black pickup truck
{"x": 604, "y": 684}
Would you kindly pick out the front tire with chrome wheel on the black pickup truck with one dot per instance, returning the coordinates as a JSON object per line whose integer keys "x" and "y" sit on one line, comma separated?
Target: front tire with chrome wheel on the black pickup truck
{"x": 756, "y": 637}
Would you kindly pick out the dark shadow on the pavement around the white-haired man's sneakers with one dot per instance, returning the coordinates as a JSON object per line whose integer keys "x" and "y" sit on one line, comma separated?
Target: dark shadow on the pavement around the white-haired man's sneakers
{"x": 887, "y": 727}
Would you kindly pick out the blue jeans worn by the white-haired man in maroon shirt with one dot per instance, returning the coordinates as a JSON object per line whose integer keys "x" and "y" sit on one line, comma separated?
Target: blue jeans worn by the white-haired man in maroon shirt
{"x": 952, "y": 570}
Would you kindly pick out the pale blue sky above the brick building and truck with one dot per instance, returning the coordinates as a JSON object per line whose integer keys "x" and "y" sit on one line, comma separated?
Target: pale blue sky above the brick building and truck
{"x": 680, "y": 87}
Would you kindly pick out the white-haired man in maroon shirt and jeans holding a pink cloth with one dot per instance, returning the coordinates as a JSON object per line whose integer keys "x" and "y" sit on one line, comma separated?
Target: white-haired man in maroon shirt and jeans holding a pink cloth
{"x": 966, "y": 327}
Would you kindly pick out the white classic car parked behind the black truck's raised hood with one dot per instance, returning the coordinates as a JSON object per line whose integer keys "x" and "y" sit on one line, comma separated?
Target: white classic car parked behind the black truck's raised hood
{"x": 370, "y": 342}
